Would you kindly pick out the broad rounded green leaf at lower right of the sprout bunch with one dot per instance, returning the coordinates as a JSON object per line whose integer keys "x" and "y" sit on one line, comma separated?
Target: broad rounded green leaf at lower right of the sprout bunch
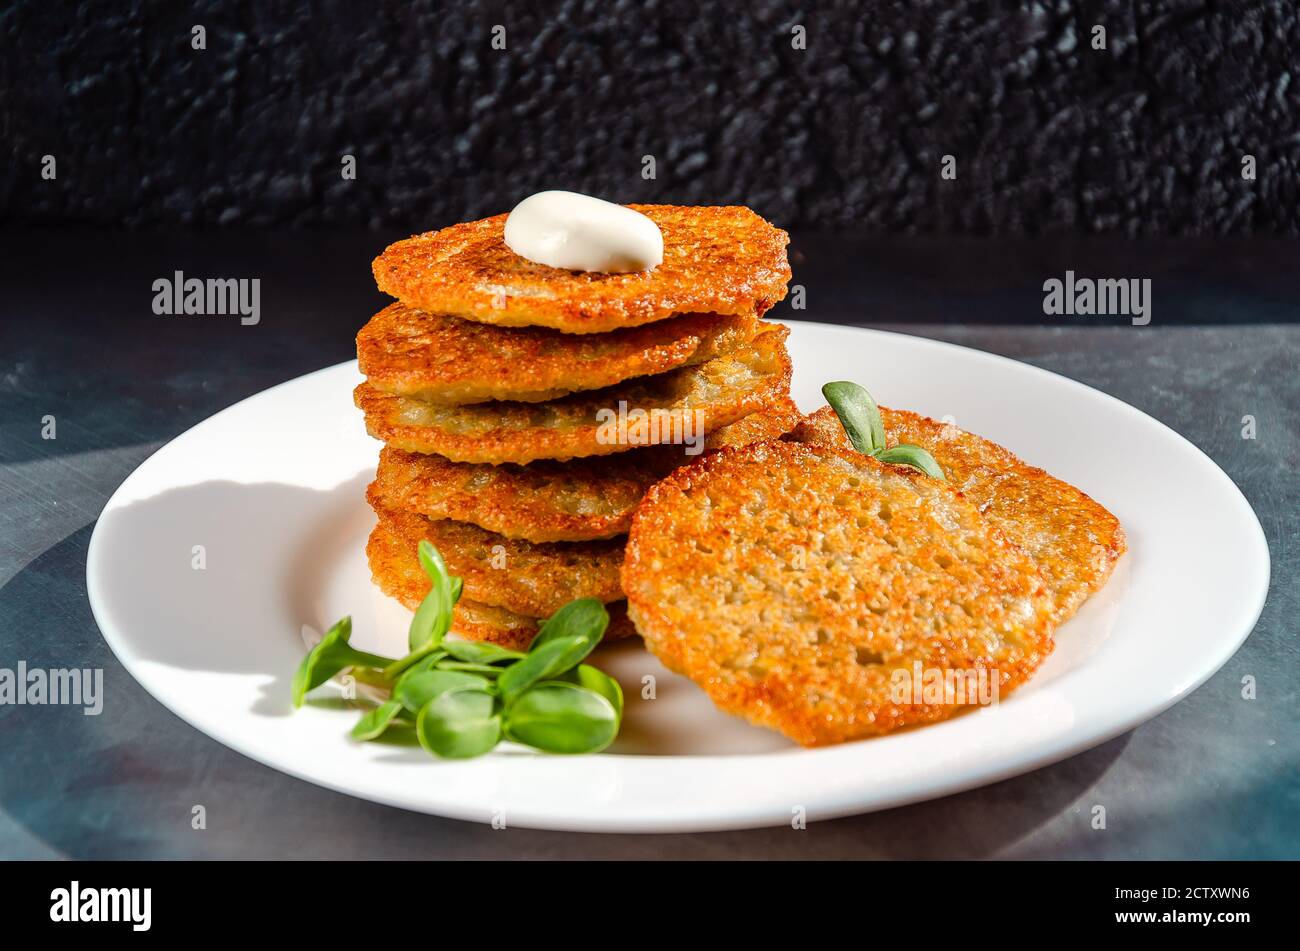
{"x": 562, "y": 719}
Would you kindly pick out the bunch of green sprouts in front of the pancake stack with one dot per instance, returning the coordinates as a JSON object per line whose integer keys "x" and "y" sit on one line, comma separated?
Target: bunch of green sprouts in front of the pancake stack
{"x": 465, "y": 697}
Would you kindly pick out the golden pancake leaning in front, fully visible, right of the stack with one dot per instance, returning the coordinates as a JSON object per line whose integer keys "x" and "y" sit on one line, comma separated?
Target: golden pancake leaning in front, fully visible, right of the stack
{"x": 792, "y": 583}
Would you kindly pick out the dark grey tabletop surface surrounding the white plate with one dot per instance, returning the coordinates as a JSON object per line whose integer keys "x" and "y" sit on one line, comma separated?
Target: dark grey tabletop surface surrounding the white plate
{"x": 1216, "y": 776}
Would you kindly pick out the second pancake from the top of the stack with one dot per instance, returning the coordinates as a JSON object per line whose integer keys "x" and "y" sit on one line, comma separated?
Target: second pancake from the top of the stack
{"x": 449, "y": 361}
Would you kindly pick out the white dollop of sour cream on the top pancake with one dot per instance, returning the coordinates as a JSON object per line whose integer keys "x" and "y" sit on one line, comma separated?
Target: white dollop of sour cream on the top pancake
{"x": 564, "y": 229}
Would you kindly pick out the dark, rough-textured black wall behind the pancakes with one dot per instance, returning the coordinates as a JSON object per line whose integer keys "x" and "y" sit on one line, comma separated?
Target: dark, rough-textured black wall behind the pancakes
{"x": 1050, "y": 134}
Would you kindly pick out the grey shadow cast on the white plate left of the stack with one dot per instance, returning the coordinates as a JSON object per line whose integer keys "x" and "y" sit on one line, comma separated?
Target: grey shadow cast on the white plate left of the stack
{"x": 223, "y": 576}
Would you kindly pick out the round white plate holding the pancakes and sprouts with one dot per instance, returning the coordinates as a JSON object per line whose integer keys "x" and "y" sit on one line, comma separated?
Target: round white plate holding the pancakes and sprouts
{"x": 272, "y": 490}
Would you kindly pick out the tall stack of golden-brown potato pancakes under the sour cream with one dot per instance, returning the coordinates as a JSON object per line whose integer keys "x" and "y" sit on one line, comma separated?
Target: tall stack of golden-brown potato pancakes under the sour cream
{"x": 527, "y": 410}
